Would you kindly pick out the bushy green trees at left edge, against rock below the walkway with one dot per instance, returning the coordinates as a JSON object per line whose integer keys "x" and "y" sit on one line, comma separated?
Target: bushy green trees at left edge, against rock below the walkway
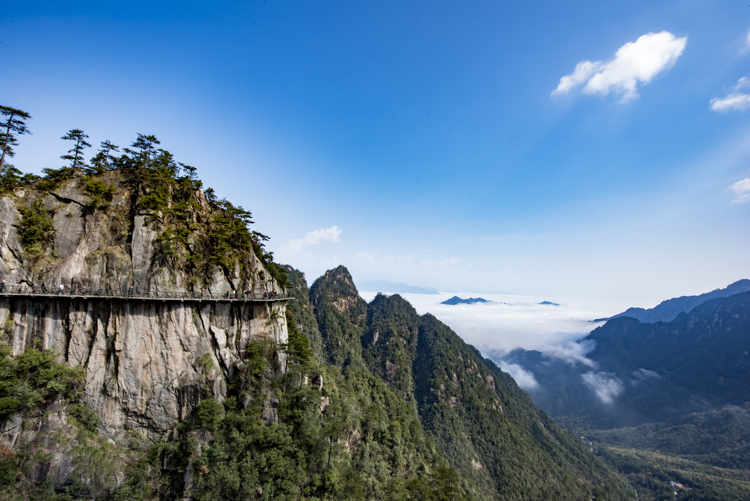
{"x": 33, "y": 379}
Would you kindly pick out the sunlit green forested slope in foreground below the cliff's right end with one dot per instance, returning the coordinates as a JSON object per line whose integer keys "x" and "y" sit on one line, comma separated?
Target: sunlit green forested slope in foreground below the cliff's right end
{"x": 279, "y": 437}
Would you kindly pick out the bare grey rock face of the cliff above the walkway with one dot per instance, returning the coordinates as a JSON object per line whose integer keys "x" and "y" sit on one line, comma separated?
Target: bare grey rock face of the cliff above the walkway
{"x": 108, "y": 249}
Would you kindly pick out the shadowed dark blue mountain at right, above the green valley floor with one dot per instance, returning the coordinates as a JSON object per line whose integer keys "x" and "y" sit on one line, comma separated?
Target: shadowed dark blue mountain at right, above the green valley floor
{"x": 639, "y": 372}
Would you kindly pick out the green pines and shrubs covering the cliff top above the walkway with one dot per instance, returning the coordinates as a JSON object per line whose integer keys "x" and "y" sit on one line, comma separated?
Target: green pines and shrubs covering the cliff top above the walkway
{"x": 197, "y": 232}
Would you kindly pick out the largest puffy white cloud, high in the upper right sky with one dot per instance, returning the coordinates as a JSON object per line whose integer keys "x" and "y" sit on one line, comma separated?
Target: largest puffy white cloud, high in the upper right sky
{"x": 634, "y": 63}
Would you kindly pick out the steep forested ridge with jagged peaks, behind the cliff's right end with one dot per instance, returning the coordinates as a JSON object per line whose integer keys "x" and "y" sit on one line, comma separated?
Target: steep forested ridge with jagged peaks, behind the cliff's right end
{"x": 486, "y": 427}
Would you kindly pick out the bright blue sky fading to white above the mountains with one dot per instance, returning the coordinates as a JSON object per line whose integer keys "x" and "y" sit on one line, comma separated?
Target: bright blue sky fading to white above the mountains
{"x": 421, "y": 142}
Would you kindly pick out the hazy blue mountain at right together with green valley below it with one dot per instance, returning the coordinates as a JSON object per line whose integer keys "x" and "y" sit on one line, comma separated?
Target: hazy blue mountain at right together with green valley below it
{"x": 668, "y": 398}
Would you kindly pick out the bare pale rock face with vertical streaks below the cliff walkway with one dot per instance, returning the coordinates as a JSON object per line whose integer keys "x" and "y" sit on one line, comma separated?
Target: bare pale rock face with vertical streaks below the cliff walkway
{"x": 146, "y": 361}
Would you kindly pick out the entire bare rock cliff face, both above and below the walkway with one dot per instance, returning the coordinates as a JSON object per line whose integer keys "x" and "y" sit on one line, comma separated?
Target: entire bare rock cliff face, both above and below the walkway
{"x": 146, "y": 361}
